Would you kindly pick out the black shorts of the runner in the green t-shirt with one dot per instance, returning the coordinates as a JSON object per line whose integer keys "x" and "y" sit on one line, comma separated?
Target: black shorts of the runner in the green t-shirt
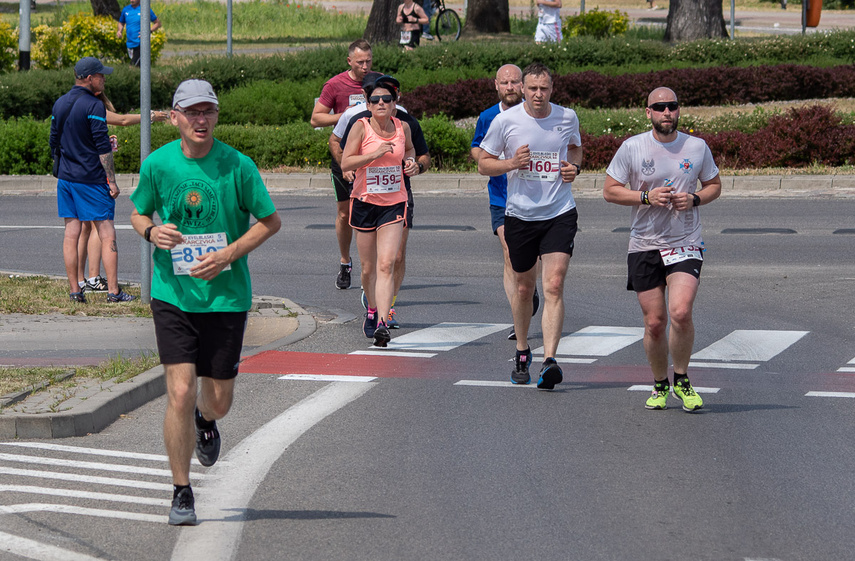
{"x": 212, "y": 341}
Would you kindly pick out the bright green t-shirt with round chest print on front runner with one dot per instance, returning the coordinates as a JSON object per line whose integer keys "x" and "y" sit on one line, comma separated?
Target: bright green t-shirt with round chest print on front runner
{"x": 217, "y": 193}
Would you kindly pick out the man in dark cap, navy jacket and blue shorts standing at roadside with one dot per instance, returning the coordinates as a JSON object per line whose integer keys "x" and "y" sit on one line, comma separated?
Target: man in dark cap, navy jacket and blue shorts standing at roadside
{"x": 86, "y": 176}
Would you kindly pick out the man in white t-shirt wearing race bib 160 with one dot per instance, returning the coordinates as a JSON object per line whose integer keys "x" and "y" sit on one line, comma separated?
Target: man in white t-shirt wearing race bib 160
{"x": 537, "y": 144}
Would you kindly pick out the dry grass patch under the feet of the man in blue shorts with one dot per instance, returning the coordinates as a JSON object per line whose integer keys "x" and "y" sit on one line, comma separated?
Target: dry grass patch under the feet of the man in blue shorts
{"x": 44, "y": 295}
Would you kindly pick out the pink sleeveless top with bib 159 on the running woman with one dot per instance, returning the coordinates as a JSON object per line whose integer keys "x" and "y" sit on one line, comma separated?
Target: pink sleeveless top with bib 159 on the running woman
{"x": 381, "y": 182}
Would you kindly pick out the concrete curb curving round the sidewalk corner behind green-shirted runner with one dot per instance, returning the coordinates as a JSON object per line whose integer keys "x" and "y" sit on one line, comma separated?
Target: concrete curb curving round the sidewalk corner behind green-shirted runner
{"x": 94, "y": 413}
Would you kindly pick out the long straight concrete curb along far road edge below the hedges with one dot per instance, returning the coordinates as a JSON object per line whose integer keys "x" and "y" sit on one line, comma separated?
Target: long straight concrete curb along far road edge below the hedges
{"x": 586, "y": 186}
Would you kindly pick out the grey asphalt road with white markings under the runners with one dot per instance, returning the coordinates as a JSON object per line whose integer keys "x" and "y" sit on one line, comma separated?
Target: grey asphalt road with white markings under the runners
{"x": 436, "y": 458}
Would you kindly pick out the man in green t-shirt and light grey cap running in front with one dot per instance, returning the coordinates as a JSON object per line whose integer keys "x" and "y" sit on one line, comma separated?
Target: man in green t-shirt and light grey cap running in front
{"x": 204, "y": 193}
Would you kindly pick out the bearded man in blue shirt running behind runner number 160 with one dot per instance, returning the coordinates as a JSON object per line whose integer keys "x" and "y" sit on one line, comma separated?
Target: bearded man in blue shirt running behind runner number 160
{"x": 509, "y": 85}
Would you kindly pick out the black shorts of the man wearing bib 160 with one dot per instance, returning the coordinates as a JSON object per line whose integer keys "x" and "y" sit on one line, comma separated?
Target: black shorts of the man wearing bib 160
{"x": 528, "y": 240}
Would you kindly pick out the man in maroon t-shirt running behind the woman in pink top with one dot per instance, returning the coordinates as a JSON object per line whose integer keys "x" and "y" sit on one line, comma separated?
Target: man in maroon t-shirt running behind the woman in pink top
{"x": 340, "y": 92}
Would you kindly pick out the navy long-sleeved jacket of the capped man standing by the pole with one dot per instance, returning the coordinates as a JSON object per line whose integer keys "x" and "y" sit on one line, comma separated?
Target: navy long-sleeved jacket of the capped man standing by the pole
{"x": 84, "y": 136}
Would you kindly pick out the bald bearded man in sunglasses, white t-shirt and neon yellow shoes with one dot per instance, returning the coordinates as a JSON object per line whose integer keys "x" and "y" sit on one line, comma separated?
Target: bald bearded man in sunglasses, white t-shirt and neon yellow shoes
{"x": 657, "y": 174}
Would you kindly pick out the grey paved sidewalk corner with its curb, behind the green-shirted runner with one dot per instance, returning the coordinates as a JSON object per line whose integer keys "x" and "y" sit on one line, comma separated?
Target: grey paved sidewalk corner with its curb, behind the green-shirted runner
{"x": 90, "y": 405}
